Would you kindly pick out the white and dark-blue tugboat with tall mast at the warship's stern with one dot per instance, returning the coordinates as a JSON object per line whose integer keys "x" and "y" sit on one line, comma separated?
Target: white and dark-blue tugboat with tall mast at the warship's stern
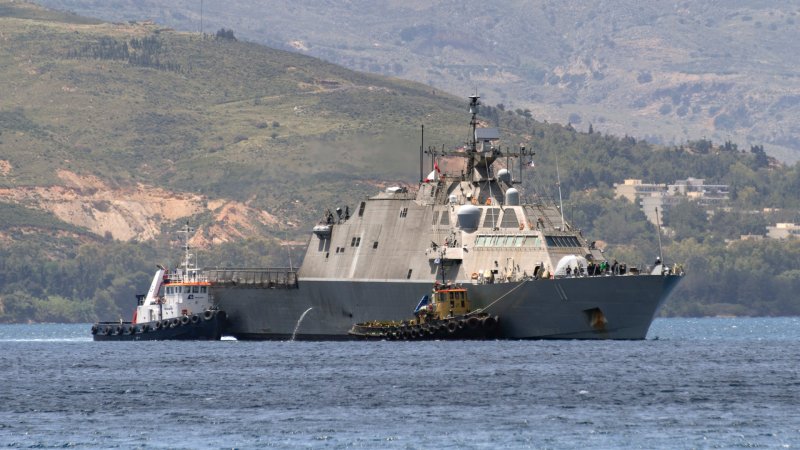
{"x": 178, "y": 306}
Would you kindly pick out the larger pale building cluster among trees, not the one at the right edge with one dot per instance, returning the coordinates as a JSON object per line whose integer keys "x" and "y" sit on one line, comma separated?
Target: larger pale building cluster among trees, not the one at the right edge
{"x": 650, "y": 196}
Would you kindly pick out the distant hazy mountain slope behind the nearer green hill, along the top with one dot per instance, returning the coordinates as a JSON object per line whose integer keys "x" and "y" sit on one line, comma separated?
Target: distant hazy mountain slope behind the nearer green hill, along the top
{"x": 667, "y": 71}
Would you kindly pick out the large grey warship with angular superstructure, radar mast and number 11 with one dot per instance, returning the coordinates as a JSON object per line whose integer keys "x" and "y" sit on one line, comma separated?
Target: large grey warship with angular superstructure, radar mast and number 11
{"x": 519, "y": 261}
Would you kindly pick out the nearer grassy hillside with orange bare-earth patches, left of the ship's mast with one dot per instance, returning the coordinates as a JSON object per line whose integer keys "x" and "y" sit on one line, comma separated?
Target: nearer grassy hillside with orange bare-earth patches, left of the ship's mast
{"x": 123, "y": 128}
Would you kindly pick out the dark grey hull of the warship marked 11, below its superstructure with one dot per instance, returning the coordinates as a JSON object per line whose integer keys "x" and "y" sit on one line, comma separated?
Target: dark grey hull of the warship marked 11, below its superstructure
{"x": 602, "y": 307}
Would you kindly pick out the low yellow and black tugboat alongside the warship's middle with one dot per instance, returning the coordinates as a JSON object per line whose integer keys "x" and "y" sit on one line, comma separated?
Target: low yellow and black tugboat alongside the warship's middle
{"x": 446, "y": 314}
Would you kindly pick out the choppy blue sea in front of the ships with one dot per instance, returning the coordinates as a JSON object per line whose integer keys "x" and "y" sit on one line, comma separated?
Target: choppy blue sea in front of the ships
{"x": 694, "y": 383}
